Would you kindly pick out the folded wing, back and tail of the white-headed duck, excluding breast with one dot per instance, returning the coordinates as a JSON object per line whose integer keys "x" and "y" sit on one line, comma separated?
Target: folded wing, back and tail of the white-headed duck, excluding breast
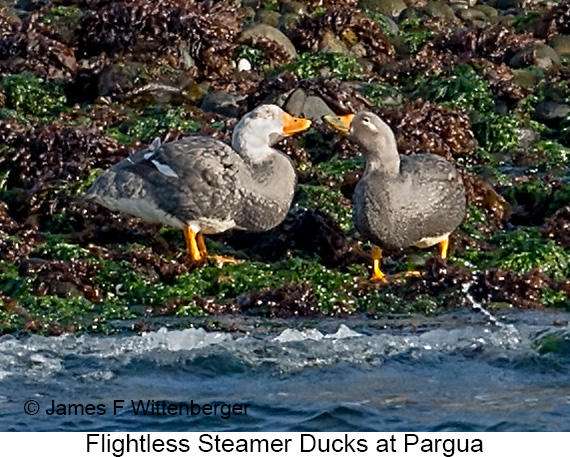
{"x": 179, "y": 182}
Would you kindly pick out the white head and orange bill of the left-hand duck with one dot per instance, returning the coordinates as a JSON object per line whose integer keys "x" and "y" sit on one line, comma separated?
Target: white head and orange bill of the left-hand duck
{"x": 259, "y": 129}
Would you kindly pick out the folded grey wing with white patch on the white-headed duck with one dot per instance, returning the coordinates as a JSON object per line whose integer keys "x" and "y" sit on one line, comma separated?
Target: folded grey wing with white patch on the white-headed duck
{"x": 188, "y": 179}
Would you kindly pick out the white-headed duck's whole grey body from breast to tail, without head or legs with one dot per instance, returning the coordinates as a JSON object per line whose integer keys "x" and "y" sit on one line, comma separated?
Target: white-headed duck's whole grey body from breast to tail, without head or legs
{"x": 199, "y": 182}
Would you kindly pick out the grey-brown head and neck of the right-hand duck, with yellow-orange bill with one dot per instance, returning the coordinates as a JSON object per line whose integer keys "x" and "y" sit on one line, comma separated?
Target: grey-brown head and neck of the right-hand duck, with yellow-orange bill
{"x": 372, "y": 133}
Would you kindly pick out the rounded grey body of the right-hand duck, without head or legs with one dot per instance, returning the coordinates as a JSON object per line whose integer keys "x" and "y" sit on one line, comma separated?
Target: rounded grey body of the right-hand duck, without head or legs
{"x": 424, "y": 202}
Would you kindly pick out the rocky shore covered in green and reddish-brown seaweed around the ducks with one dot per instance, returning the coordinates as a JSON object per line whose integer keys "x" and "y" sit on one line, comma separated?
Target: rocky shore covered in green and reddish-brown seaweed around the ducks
{"x": 85, "y": 83}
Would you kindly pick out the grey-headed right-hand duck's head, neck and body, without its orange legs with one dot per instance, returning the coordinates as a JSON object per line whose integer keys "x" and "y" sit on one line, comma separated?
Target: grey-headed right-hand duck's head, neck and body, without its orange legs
{"x": 402, "y": 201}
